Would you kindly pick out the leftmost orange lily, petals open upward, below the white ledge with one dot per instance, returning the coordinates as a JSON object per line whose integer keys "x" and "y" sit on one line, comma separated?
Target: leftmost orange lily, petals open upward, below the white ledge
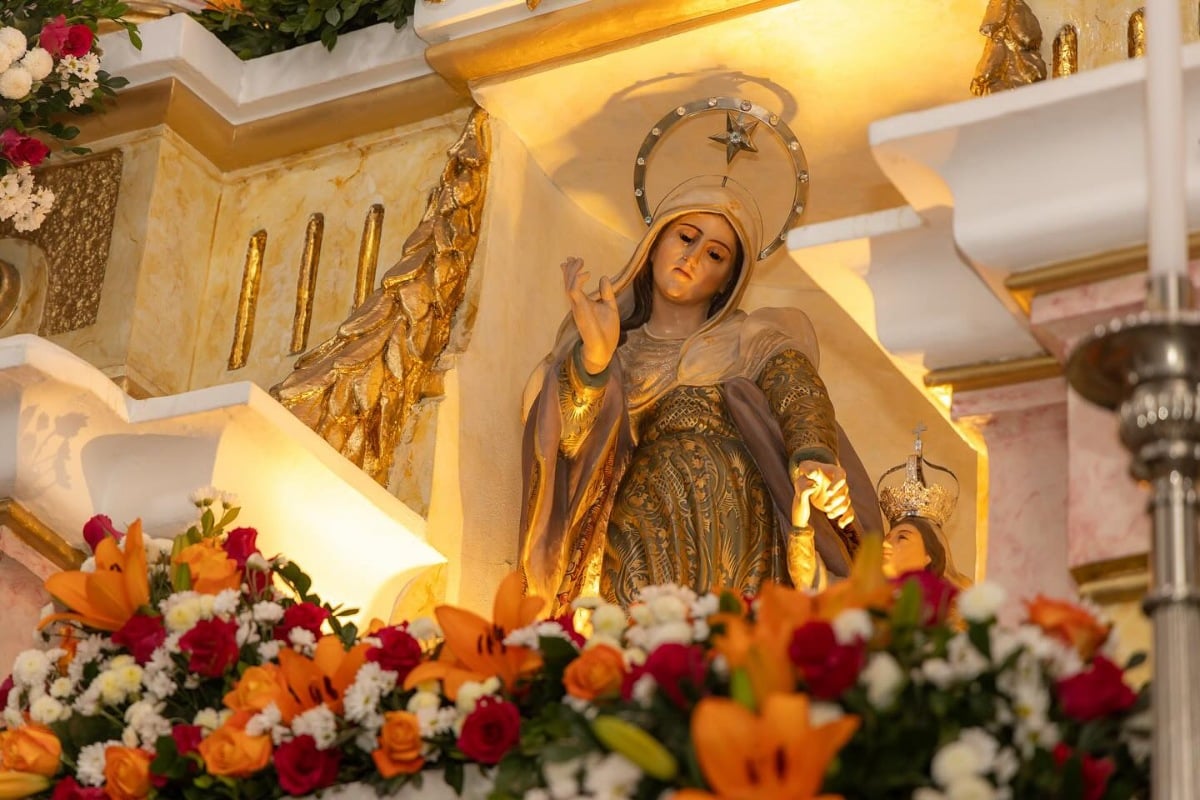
{"x": 106, "y": 599}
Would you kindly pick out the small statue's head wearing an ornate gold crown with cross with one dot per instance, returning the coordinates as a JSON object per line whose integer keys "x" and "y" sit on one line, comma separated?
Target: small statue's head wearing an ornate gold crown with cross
{"x": 917, "y": 509}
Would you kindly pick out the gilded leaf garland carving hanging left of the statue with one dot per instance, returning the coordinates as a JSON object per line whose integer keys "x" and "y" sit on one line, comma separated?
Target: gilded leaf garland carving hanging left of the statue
{"x": 359, "y": 388}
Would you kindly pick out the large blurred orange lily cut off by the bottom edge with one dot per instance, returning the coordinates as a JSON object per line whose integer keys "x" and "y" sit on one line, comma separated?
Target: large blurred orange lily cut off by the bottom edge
{"x": 778, "y": 755}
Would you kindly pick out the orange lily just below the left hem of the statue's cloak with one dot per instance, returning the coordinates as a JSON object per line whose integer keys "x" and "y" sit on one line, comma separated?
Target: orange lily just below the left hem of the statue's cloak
{"x": 475, "y": 648}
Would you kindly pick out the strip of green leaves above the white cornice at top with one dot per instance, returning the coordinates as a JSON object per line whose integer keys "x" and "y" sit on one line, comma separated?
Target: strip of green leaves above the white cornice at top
{"x": 256, "y": 28}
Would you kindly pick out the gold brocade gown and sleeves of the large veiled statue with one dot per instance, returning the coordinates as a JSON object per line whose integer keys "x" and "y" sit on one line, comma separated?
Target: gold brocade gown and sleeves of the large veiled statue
{"x": 693, "y": 507}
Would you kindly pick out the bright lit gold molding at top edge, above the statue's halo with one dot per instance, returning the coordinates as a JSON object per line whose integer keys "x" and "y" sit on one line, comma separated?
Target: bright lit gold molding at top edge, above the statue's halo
{"x": 577, "y": 33}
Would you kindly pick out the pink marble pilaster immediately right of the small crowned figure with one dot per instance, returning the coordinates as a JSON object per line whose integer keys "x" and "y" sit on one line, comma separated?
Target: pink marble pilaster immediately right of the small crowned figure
{"x": 1025, "y": 429}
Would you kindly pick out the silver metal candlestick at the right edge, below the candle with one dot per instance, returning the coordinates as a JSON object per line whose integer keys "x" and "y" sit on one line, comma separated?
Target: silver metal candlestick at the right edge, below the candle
{"x": 1148, "y": 368}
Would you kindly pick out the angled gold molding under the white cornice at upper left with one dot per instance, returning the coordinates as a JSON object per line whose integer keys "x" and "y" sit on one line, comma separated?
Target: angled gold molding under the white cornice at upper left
{"x": 235, "y": 147}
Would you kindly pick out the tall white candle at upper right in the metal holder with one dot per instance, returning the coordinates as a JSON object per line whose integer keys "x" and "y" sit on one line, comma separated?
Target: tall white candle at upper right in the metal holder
{"x": 1165, "y": 141}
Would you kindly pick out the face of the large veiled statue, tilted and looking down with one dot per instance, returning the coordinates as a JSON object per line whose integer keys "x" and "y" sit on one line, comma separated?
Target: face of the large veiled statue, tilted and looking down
{"x": 693, "y": 258}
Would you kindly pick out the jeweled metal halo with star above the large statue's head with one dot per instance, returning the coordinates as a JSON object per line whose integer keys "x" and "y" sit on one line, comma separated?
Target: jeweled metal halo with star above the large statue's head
{"x": 742, "y": 118}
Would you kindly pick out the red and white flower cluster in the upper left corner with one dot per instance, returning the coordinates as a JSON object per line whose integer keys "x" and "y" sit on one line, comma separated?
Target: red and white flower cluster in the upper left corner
{"x": 50, "y": 69}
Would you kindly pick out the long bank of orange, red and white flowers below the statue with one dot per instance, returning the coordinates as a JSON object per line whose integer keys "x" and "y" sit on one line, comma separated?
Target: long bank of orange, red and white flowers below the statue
{"x": 199, "y": 667}
